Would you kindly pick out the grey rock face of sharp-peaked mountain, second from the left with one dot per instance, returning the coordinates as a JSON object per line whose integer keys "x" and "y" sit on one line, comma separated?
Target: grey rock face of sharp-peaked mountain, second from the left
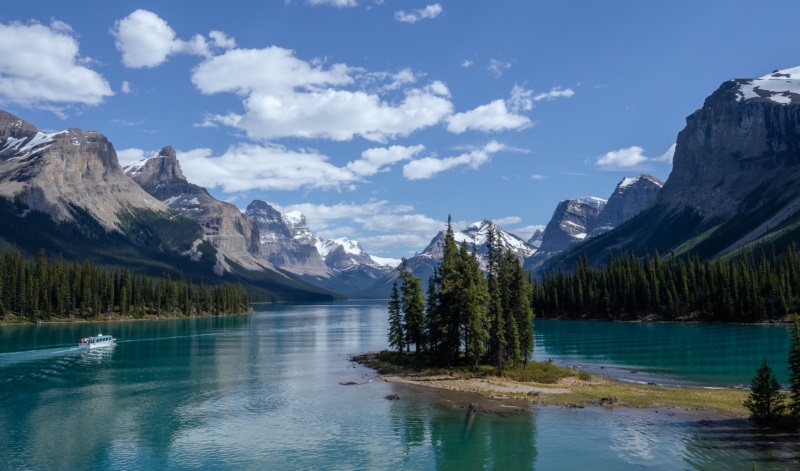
{"x": 224, "y": 226}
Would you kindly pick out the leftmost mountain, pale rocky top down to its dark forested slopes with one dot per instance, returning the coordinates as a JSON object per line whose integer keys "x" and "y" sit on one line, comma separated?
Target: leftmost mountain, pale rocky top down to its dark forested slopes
{"x": 66, "y": 193}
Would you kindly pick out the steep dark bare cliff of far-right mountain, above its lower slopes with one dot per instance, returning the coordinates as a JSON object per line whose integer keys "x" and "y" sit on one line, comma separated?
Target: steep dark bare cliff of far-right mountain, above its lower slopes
{"x": 745, "y": 137}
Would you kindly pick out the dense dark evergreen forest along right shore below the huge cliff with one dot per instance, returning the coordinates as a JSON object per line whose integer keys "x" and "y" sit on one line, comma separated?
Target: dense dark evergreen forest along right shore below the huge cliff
{"x": 745, "y": 288}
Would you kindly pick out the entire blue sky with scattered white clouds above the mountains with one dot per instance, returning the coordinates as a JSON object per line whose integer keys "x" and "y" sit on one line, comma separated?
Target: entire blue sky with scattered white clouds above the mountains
{"x": 377, "y": 119}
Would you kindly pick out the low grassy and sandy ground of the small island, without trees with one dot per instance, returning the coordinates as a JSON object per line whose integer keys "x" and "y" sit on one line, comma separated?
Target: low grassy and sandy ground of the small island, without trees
{"x": 584, "y": 388}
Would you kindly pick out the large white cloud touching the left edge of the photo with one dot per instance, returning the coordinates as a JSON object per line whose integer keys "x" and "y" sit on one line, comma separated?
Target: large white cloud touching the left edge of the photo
{"x": 40, "y": 66}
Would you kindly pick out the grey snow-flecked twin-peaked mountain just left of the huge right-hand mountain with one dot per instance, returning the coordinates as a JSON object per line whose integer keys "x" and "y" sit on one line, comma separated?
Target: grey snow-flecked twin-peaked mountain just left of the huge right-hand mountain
{"x": 575, "y": 221}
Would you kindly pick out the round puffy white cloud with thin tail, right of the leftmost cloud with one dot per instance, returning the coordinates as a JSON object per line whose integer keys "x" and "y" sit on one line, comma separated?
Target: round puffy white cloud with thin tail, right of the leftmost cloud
{"x": 146, "y": 40}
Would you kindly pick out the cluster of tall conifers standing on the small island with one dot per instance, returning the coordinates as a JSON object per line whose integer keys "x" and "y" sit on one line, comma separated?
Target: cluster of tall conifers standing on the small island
{"x": 465, "y": 316}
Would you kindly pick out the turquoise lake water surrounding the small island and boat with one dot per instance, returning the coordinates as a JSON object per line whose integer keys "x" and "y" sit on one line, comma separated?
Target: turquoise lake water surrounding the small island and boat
{"x": 265, "y": 392}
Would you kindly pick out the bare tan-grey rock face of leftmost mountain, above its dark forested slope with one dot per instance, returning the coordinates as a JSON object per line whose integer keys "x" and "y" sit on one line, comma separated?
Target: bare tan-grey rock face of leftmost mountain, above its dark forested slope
{"x": 57, "y": 172}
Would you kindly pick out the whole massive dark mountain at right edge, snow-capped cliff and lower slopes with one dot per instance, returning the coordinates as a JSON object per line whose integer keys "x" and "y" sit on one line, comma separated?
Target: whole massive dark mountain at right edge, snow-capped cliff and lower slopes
{"x": 734, "y": 177}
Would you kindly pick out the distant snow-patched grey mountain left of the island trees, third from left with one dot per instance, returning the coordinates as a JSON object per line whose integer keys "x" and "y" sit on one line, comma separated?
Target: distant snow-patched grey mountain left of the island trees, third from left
{"x": 338, "y": 265}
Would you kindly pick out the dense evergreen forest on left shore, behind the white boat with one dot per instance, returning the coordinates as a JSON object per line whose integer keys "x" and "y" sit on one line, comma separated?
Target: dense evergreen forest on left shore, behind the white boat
{"x": 34, "y": 290}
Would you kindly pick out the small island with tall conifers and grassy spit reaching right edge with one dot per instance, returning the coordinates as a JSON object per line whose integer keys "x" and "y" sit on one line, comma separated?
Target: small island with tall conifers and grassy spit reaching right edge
{"x": 474, "y": 334}
